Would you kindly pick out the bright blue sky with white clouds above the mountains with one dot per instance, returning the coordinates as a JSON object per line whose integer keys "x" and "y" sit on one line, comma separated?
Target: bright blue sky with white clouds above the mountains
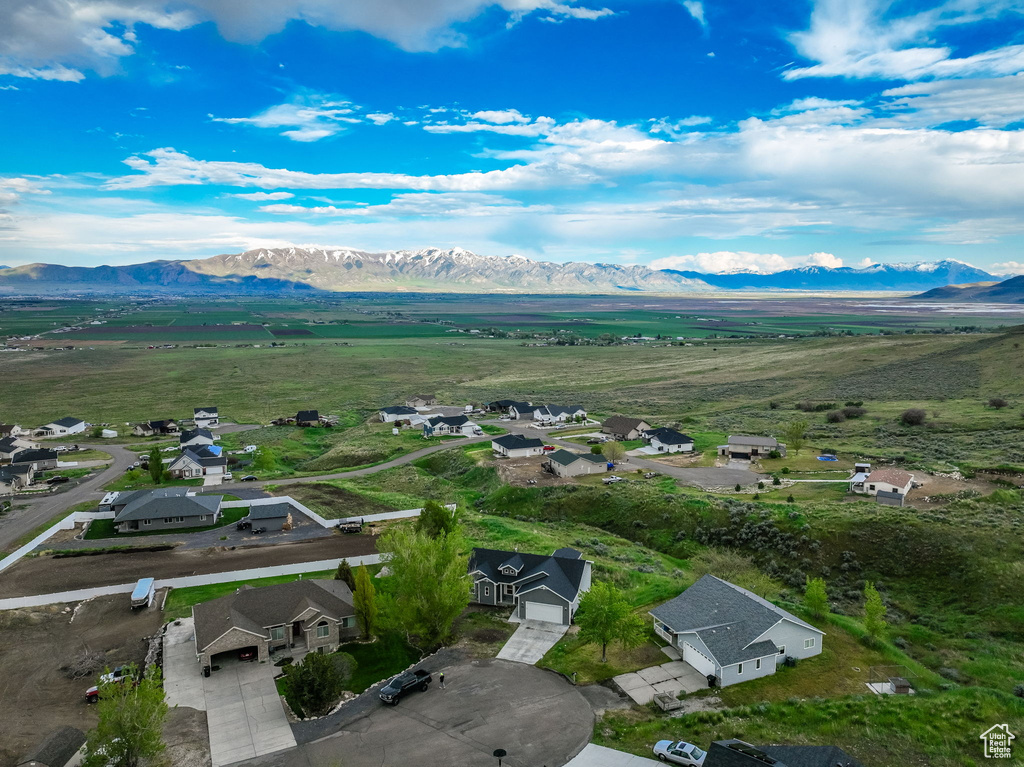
{"x": 707, "y": 136}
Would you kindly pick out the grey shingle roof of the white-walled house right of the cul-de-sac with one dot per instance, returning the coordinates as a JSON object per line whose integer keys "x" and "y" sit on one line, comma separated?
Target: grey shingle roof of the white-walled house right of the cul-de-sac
{"x": 727, "y": 618}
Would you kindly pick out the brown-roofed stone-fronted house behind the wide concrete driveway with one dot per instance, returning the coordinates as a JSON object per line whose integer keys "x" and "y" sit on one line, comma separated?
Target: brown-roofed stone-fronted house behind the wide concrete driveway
{"x": 308, "y": 615}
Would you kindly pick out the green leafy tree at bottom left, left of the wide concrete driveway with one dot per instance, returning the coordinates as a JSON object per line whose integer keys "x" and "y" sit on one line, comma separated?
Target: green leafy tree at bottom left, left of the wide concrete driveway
{"x": 130, "y": 733}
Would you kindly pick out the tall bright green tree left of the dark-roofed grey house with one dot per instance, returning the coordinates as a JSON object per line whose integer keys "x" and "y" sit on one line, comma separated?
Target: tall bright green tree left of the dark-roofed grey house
{"x": 430, "y": 586}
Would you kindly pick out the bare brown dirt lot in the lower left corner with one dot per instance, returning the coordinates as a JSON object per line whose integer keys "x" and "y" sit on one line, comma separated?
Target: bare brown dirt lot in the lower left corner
{"x": 35, "y": 696}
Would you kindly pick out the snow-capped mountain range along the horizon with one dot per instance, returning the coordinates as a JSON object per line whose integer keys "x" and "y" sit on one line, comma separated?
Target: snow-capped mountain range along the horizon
{"x": 458, "y": 271}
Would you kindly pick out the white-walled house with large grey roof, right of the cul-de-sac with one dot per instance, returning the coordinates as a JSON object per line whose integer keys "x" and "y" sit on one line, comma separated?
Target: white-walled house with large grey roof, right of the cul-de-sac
{"x": 731, "y": 633}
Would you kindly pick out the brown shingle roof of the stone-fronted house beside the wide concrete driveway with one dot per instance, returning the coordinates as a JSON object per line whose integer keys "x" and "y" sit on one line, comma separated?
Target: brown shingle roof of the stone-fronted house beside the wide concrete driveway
{"x": 257, "y": 610}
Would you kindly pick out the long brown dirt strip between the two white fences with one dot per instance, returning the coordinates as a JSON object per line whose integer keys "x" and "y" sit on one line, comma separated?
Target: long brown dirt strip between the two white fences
{"x": 47, "y": 575}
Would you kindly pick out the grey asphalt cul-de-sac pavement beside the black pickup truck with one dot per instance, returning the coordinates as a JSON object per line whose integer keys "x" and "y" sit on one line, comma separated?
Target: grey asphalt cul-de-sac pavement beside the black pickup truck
{"x": 536, "y": 716}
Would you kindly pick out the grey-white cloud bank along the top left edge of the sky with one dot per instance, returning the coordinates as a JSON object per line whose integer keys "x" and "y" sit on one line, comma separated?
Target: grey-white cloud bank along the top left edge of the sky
{"x": 61, "y": 39}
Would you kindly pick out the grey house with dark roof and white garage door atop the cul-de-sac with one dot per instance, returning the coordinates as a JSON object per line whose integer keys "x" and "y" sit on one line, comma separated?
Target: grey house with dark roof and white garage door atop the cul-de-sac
{"x": 541, "y": 588}
